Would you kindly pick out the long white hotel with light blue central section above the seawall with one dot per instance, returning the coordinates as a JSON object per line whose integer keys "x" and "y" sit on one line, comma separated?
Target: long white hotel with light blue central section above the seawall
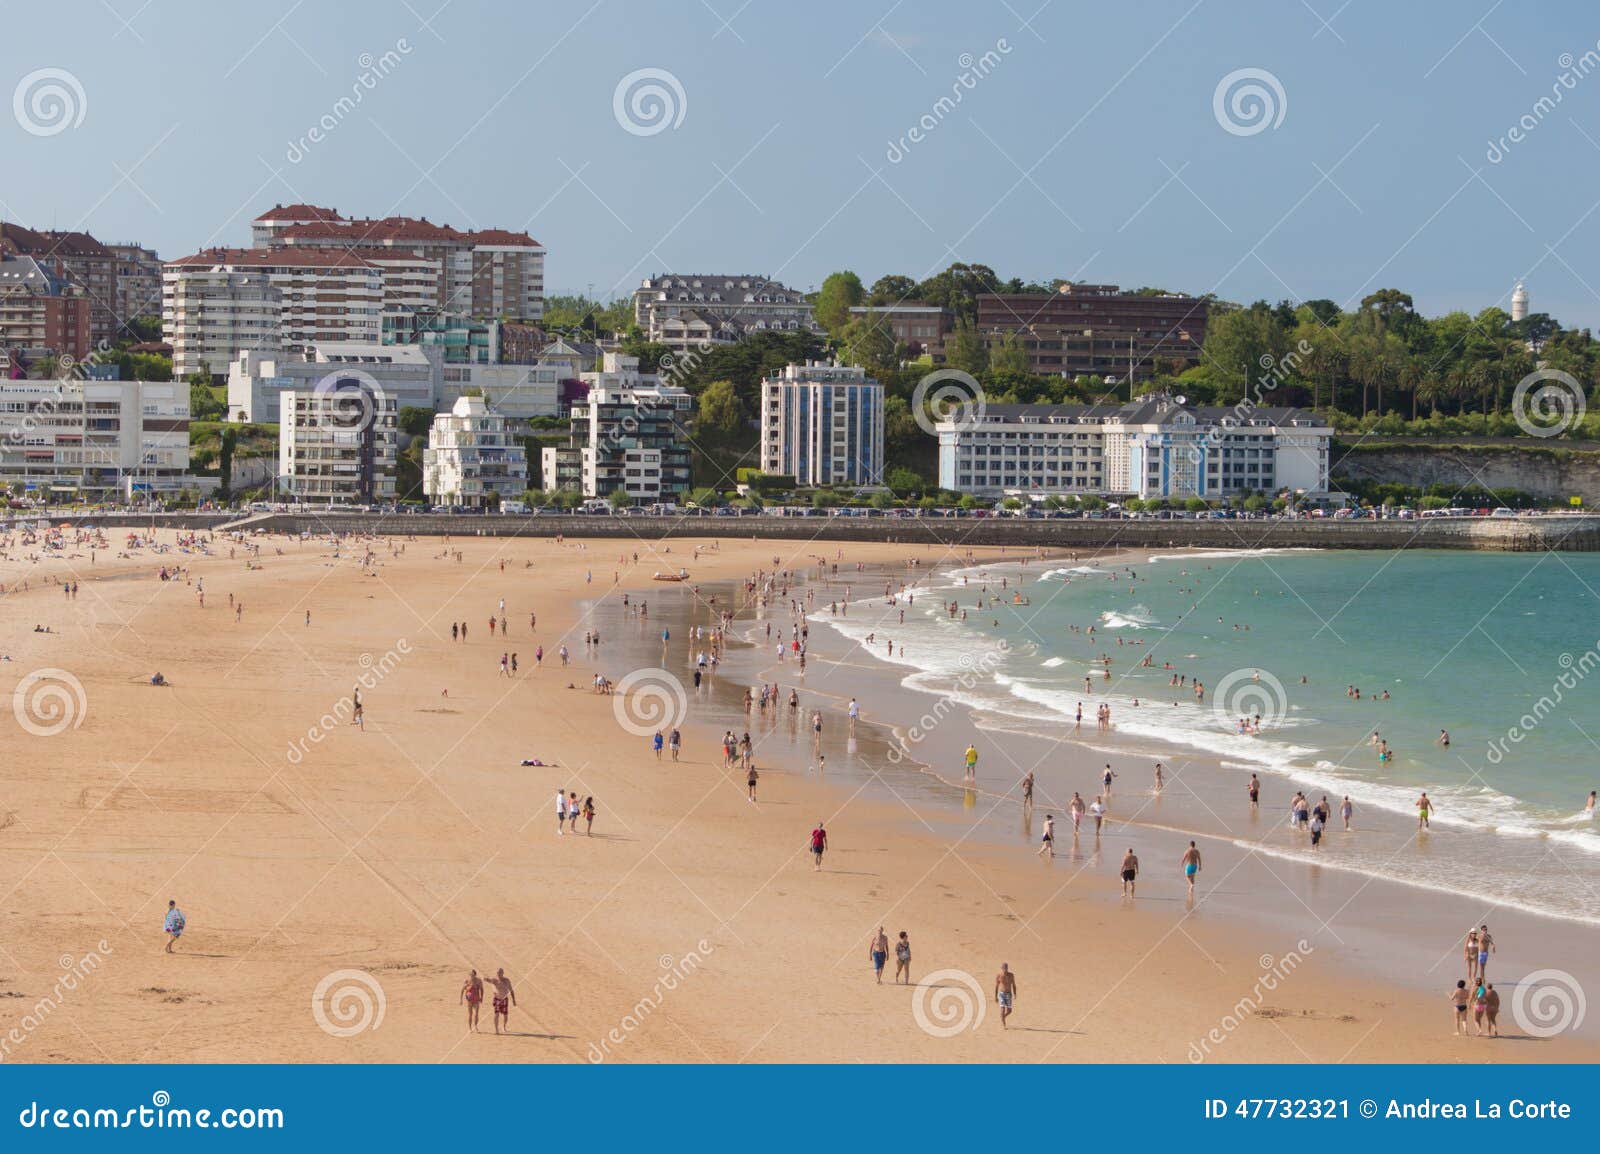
{"x": 1153, "y": 447}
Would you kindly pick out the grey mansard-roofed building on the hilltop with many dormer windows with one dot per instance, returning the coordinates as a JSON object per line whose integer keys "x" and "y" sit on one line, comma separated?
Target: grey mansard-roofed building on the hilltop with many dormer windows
{"x": 695, "y": 311}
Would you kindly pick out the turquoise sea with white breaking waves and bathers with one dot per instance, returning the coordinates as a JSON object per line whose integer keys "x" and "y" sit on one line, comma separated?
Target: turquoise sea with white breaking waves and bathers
{"x": 1503, "y": 651}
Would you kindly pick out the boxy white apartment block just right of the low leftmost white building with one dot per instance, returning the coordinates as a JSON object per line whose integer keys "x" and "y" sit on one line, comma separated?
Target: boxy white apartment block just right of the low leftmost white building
{"x": 338, "y": 443}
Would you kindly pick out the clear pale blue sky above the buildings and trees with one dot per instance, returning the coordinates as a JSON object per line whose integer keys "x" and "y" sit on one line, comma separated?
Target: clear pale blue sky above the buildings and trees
{"x": 1090, "y": 151}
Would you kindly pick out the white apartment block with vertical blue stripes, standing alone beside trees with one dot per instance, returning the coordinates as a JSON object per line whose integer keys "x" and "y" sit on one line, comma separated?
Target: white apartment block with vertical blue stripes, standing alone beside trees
{"x": 823, "y": 425}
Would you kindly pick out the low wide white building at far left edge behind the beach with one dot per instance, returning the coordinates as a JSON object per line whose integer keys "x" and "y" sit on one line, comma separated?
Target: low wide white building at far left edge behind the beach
{"x": 84, "y": 439}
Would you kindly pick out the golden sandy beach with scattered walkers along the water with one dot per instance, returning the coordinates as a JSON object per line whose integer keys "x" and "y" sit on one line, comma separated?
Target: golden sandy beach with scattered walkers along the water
{"x": 340, "y": 881}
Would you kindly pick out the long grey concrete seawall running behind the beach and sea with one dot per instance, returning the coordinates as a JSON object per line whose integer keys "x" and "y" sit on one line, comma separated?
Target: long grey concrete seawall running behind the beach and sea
{"x": 1569, "y": 534}
